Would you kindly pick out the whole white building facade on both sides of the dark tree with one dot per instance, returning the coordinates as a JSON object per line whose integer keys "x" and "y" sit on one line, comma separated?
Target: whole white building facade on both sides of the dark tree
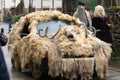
{"x": 5, "y": 5}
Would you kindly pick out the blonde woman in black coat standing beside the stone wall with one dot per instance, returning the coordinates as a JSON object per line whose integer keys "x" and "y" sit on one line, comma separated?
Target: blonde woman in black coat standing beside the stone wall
{"x": 100, "y": 22}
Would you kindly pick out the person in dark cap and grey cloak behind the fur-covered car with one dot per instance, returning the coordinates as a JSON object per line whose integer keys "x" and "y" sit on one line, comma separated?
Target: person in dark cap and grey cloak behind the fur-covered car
{"x": 82, "y": 14}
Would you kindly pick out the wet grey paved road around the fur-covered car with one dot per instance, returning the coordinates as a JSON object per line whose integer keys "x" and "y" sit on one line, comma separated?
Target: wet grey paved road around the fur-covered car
{"x": 114, "y": 73}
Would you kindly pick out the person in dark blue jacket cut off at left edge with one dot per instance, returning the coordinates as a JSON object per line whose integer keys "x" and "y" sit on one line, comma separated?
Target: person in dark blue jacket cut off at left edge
{"x": 4, "y": 75}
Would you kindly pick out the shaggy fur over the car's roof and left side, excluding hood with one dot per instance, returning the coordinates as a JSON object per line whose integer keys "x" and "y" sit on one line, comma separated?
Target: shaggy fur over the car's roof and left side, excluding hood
{"x": 32, "y": 47}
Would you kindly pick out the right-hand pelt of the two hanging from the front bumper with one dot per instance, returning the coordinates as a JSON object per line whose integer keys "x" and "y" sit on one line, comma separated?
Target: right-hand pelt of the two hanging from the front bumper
{"x": 86, "y": 68}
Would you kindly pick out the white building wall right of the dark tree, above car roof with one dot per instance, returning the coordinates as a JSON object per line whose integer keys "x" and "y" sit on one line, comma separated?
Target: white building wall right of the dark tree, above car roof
{"x": 44, "y": 4}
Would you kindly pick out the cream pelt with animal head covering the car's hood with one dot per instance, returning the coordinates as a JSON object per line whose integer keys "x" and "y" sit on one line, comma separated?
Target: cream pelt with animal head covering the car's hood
{"x": 76, "y": 45}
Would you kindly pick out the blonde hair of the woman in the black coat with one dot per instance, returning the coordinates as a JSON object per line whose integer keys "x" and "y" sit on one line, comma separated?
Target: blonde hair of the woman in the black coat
{"x": 97, "y": 11}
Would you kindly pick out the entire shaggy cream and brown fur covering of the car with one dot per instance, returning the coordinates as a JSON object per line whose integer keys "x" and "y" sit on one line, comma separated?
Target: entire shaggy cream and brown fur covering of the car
{"x": 69, "y": 42}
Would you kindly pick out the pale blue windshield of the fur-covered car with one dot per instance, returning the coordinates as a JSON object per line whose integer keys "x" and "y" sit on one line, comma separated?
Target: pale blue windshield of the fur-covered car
{"x": 52, "y": 26}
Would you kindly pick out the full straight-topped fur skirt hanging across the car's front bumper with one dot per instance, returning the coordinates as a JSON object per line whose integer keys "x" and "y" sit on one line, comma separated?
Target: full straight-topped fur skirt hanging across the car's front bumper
{"x": 72, "y": 68}
